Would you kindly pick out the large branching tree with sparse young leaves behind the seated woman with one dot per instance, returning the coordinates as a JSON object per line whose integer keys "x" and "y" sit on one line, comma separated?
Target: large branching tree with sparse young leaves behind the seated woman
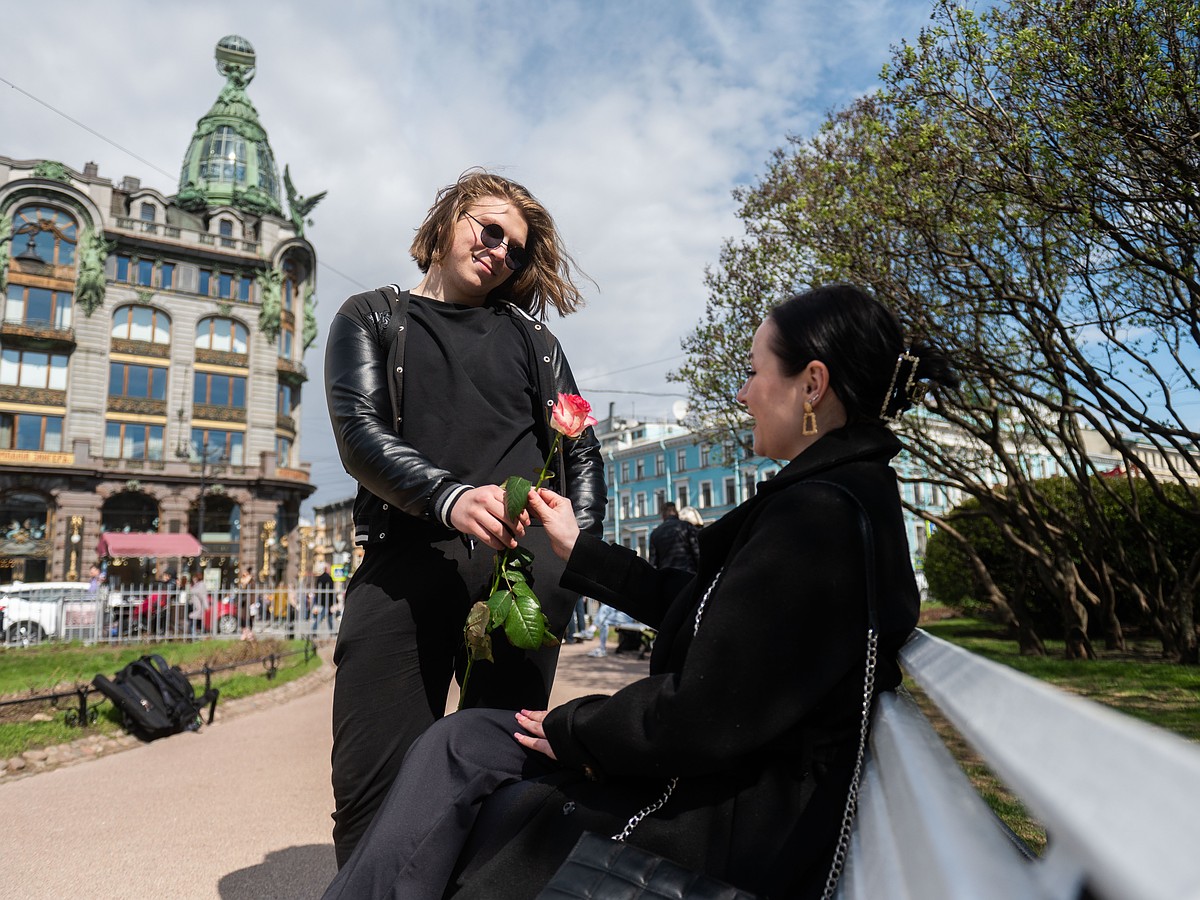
{"x": 1024, "y": 194}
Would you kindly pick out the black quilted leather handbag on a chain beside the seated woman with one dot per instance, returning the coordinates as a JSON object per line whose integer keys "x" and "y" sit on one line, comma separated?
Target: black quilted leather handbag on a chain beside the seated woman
{"x": 604, "y": 869}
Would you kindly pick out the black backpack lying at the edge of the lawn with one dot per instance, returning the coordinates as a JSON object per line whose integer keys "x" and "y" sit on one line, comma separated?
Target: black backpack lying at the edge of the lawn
{"x": 157, "y": 699}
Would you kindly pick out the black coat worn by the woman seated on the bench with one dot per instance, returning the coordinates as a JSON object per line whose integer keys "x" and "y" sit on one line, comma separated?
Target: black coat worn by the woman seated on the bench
{"x": 759, "y": 712}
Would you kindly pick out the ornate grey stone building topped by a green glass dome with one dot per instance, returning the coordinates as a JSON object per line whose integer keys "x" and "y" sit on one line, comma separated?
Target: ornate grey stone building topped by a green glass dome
{"x": 152, "y": 359}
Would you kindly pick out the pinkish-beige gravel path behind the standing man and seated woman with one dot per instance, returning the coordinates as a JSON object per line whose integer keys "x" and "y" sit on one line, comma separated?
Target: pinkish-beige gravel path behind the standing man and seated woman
{"x": 238, "y": 811}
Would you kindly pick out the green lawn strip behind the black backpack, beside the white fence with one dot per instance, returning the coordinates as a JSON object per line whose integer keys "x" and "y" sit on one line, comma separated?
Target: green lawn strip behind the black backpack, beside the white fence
{"x": 41, "y": 670}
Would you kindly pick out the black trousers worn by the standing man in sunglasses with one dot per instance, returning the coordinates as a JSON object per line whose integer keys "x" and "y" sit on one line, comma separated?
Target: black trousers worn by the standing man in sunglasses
{"x": 399, "y": 645}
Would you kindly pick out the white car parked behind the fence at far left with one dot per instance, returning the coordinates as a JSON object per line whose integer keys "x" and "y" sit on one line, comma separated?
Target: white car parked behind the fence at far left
{"x": 35, "y": 613}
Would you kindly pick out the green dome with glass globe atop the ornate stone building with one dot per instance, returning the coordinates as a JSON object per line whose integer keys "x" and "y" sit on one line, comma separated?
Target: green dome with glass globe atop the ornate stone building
{"x": 230, "y": 161}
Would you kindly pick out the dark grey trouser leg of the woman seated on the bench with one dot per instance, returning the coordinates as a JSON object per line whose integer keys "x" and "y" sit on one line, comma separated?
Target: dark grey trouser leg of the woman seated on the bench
{"x": 412, "y": 847}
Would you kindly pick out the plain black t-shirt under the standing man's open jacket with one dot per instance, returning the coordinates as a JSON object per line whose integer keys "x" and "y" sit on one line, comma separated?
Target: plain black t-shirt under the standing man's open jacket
{"x": 470, "y": 404}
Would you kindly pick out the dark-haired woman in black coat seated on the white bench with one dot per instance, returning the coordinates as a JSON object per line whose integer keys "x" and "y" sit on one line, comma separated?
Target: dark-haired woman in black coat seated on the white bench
{"x": 752, "y": 741}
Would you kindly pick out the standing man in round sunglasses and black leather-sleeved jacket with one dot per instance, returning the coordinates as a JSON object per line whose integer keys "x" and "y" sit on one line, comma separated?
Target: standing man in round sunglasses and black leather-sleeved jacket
{"x": 436, "y": 399}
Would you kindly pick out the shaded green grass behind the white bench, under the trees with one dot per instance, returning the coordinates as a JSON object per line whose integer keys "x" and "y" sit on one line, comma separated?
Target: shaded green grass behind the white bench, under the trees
{"x": 1136, "y": 682}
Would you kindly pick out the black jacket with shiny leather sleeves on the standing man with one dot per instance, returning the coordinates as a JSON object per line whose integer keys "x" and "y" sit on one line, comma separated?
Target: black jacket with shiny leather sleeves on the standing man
{"x": 399, "y": 487}
